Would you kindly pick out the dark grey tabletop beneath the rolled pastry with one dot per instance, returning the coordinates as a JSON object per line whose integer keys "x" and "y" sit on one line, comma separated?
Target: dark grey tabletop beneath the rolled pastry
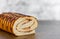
{"x": 45, "y": 30}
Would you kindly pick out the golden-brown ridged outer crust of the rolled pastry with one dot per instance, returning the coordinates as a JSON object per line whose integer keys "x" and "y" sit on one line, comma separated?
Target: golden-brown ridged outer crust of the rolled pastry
{"x": 8, "y": 18}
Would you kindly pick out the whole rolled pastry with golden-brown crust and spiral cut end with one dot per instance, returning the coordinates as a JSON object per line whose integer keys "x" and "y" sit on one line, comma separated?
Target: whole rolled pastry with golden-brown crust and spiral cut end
{"x": 17, "y": 23}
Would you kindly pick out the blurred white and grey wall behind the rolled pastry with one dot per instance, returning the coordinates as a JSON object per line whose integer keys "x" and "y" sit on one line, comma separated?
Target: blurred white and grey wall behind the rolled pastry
{"x": 41, "y": 9}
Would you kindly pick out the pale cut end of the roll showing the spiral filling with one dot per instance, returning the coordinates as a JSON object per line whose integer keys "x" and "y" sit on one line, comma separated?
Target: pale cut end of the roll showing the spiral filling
{"x": 25, "y": 26}
